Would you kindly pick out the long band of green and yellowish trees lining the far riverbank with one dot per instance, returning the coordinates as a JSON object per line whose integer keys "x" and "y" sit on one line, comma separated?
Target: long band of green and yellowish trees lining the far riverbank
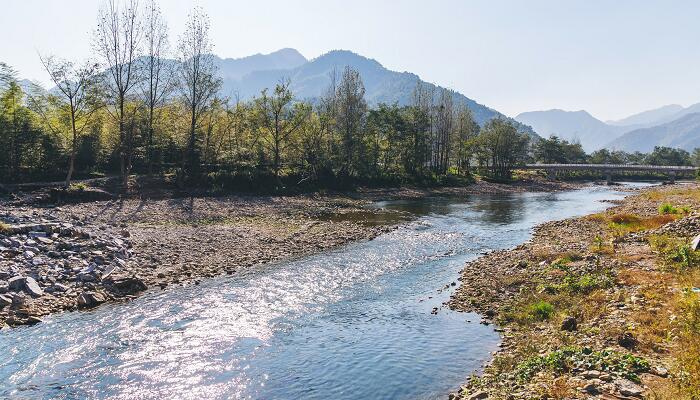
{"x": 140, "y": 106}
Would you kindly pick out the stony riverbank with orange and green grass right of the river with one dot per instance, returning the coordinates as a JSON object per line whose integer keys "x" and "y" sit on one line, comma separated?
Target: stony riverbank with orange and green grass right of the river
{"x": 603, "y": 306}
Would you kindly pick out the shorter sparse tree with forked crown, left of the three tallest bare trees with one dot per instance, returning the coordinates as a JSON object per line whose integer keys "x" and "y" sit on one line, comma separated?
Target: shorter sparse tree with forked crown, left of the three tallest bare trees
{"x": 75, "y": 105}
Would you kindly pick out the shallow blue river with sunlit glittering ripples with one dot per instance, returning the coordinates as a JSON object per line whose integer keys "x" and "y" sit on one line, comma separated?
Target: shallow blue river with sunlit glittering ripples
{"x": 354, "y": 323}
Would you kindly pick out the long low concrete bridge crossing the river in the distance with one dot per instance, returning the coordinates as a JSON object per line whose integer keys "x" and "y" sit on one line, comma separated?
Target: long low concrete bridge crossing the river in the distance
{"x": 609, "y": 169}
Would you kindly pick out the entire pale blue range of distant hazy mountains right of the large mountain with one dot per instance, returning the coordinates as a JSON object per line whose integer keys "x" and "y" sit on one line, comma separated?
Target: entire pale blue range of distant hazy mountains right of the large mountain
{"x": 671, "y": 126}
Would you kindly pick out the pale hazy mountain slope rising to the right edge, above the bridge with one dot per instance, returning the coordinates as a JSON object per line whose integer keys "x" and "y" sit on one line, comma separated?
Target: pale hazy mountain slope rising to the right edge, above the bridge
{"x": 683, "y": 133}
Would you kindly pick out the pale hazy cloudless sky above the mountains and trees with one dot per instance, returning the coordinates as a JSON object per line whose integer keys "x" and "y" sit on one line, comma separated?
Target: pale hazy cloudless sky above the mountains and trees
{"x": 612, "y": 58}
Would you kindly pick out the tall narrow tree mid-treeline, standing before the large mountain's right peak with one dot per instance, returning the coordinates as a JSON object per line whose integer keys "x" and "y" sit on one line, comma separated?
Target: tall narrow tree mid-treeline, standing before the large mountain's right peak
{"x": 351, "y": 109}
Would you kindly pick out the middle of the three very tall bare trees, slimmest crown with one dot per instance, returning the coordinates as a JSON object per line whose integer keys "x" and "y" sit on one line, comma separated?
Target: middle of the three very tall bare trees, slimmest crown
{"x": 157, "y": 71}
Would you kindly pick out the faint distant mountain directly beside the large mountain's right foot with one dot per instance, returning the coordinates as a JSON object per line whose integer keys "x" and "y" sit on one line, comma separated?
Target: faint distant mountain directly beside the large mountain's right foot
{"x": 571, "y": 125}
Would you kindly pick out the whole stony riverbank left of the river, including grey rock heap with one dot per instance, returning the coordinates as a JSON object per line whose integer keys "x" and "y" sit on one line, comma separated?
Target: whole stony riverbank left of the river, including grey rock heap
{"x": 82, "y": 255}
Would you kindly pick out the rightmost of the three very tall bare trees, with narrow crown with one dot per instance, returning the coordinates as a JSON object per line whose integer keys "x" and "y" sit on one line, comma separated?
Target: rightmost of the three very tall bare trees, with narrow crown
{"x": 197, "y": 81}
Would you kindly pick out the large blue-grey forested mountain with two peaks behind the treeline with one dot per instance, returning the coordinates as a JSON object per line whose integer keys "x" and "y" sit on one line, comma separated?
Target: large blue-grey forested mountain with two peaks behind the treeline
{"x": 308, "y": 80}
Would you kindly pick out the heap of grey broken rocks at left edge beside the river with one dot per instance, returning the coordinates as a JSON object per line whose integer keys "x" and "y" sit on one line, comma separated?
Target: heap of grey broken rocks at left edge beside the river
{"x": 48, "y": 265}
